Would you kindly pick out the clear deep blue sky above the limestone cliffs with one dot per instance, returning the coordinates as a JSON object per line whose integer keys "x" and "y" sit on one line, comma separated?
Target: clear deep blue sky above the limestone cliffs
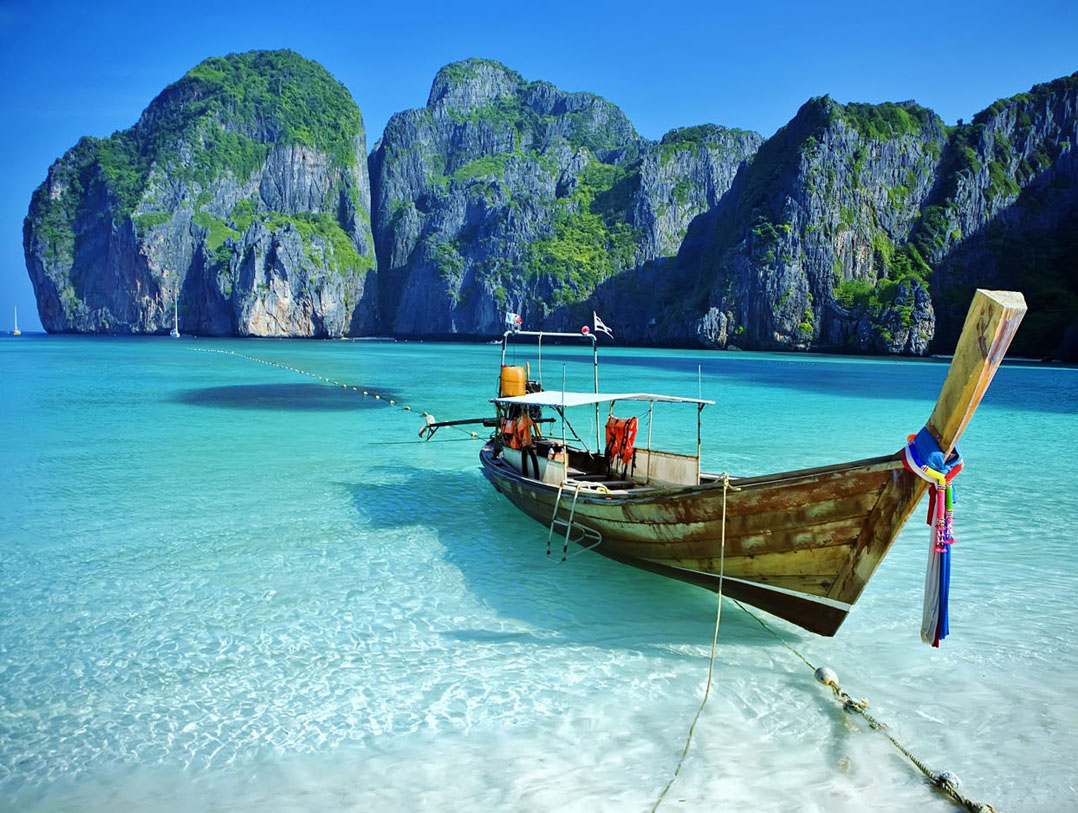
{"x": 74, "y": 70}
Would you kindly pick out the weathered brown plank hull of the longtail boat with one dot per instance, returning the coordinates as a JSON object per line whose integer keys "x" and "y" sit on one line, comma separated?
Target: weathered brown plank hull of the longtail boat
{"x": 800, "y": 545}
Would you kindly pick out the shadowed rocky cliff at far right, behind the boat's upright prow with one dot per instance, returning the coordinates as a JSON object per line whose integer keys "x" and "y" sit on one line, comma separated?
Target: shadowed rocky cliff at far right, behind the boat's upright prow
{"x": 1005, "y": 215}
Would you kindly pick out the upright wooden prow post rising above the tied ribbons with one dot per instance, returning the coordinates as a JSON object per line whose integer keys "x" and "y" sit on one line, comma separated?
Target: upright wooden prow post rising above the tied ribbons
{"x": 990, "y": 327}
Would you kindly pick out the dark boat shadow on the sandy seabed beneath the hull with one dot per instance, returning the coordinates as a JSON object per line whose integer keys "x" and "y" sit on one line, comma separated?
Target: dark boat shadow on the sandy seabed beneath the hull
{"x": 502, "y": 557}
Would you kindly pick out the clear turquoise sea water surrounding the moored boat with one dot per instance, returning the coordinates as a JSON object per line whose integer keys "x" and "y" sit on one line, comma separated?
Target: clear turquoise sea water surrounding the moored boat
{"x": 225, "y": 585}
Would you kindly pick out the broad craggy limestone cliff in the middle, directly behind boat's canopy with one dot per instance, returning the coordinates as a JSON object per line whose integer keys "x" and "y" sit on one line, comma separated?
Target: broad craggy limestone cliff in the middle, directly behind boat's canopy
{"x": 510, "y": 196}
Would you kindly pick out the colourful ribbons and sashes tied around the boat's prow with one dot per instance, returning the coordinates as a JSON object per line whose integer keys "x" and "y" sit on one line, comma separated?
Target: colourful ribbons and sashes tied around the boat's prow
{"x": 923, "y": 457}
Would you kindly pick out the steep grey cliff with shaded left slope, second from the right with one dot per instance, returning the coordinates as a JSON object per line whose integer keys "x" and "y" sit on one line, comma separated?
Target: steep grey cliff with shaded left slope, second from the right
{"x": 804, "y": 251}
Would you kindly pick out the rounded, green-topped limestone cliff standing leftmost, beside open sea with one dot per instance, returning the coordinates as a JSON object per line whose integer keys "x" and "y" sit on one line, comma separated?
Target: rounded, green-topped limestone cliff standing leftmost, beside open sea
{"x": 241, "y": 196}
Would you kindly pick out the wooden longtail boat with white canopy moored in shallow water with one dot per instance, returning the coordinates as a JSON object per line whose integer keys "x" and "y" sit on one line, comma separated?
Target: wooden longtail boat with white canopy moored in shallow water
{"x": 799, "y": 545}
